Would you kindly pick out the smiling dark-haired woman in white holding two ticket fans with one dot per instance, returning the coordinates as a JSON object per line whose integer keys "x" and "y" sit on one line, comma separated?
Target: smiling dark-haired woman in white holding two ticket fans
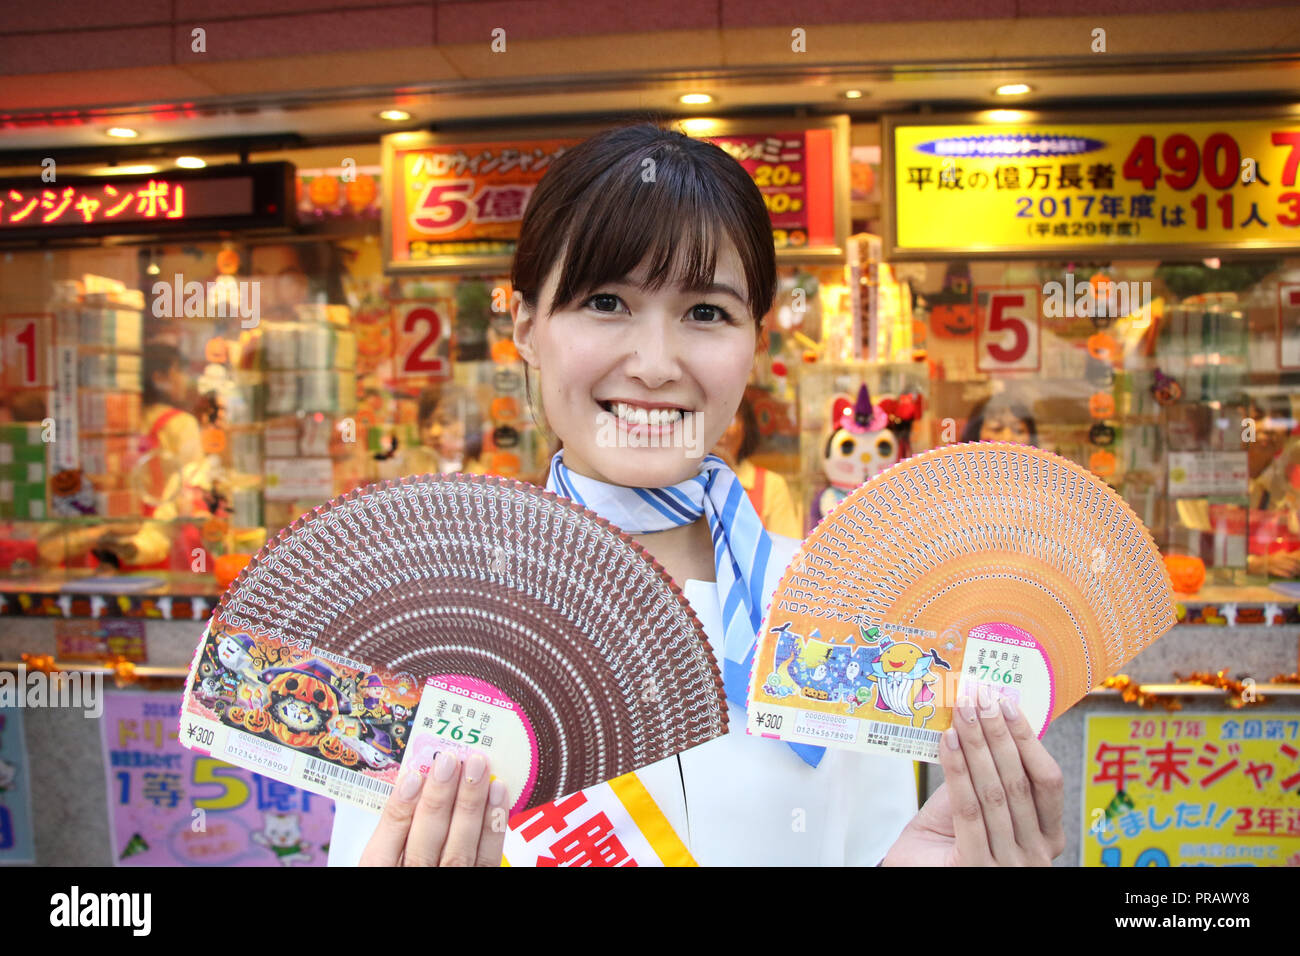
{"x": 647, "y": 293}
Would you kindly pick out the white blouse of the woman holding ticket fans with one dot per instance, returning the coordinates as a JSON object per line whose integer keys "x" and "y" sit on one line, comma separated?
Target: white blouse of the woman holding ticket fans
{"x": 752, "y": 801}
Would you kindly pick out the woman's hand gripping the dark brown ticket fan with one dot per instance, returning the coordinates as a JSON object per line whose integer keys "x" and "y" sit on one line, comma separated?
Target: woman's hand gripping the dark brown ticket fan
{"x": 456, "y": 817}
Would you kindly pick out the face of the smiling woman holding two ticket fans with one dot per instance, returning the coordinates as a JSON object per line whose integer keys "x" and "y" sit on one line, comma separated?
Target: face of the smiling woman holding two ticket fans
{"x": 640, "y": 386}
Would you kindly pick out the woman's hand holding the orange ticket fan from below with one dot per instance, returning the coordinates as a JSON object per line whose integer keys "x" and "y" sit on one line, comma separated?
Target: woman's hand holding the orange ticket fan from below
{"x": 1003, "y": 798}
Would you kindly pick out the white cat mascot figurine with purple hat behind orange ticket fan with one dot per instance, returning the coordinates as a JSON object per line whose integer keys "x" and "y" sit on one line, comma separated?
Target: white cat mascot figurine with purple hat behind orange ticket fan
{"x": 865, "y": 440}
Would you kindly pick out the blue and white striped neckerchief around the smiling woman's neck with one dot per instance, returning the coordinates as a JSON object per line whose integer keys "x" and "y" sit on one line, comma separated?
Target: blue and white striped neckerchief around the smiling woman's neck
{"x": 742, "y": 551}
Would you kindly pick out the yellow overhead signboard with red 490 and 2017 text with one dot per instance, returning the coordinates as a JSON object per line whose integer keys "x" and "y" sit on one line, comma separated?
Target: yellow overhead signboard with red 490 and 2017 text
{"x": 976, "y": 189}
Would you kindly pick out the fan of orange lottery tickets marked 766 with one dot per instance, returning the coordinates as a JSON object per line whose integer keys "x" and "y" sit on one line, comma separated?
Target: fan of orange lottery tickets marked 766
{"x": 972, "y": 565}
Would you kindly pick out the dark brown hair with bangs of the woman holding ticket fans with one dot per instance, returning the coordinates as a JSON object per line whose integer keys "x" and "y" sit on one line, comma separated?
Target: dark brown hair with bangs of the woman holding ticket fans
{"x": 635, "y": 192}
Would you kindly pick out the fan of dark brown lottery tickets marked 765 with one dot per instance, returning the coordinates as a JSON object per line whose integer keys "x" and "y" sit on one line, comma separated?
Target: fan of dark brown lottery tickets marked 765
{"x": 452, "y": 612}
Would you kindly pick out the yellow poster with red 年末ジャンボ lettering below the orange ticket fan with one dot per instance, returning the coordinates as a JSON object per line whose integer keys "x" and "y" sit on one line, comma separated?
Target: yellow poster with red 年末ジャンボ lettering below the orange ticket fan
{"x": 1191, "y": 790}
